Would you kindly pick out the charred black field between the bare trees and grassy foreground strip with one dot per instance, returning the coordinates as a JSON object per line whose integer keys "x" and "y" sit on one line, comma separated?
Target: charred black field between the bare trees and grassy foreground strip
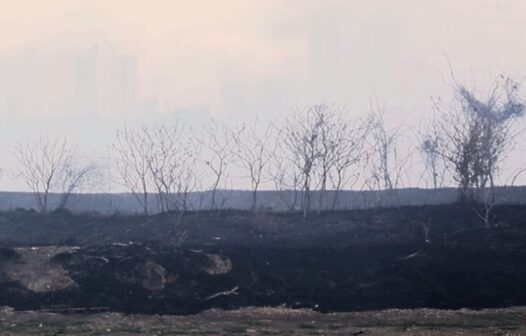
{"x": 409, "y": 257}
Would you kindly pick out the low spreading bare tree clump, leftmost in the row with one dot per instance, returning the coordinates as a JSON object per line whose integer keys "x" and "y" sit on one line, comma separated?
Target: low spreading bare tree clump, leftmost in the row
{"x": 51, "y": 165}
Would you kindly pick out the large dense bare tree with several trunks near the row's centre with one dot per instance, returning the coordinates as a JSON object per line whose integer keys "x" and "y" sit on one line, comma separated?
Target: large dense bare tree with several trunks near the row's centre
{"x": 322, "y": 145}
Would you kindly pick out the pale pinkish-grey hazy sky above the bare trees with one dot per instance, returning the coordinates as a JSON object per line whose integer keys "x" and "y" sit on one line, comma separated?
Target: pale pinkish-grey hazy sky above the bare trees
{"x": 84, "y": 68}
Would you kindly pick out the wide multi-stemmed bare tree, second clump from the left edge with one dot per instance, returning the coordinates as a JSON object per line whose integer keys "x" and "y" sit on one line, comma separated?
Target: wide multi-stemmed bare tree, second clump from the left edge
{"x": 159, "y": 158}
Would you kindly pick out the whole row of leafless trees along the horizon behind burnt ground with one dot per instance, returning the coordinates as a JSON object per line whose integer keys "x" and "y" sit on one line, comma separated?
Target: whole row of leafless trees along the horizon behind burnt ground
{"x": 308, "y": 160}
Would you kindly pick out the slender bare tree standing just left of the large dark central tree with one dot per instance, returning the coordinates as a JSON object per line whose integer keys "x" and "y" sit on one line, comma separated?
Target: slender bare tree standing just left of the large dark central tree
{"x": 254, "y": 152}
